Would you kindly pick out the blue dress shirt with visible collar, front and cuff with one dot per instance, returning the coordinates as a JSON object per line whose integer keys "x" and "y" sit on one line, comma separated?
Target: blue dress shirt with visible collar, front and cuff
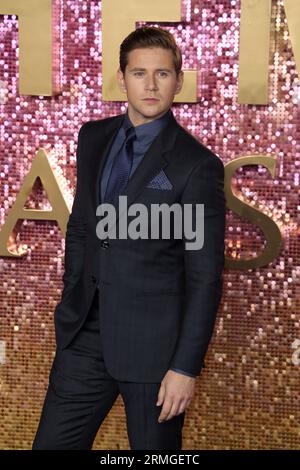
{"x": 145, "y": 134}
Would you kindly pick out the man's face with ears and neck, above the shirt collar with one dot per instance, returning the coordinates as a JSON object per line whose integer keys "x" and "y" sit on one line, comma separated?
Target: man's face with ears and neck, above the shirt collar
{"x": 150, "y": 73}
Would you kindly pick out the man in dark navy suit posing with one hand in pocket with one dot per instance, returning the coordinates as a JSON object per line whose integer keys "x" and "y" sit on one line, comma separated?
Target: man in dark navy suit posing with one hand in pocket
{"x": 136, "y": 315}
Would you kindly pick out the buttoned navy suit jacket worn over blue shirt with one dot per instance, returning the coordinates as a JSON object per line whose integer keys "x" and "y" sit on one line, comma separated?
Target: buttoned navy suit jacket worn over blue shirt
{"x": 158, "y": 301}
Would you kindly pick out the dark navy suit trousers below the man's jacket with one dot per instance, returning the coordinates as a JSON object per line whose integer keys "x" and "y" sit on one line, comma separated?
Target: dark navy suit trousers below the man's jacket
{"x": 81, "y": 393}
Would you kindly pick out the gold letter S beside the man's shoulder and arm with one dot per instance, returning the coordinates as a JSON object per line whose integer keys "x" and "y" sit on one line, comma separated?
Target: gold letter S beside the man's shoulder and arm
{"x": 247, "y": 211}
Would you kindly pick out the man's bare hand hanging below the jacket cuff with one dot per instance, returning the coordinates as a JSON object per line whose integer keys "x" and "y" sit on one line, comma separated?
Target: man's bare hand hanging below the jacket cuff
{"x": 176, "y": 391}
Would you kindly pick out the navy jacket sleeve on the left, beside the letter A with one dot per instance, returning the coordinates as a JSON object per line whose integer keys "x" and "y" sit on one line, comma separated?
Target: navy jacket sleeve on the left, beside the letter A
{"x": 75, "y": 240}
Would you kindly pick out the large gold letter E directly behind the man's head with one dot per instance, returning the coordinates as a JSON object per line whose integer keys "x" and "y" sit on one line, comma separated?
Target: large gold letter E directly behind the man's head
{"x": 118, "y": 20}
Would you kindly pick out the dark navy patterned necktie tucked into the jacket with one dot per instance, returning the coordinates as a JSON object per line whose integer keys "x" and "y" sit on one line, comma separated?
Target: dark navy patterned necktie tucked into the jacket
{"x": 121, "y": 168}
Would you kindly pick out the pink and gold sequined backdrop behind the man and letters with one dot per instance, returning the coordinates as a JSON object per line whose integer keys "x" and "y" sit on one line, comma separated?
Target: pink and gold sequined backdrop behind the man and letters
{"x": 248, "y": 395}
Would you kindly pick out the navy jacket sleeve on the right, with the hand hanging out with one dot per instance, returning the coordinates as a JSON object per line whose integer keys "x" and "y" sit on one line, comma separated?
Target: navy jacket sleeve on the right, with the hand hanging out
{"x": 203, "y": 267}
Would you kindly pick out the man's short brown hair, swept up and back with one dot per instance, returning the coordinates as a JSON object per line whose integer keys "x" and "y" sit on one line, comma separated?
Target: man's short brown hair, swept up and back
{"x": 148, "y": 36}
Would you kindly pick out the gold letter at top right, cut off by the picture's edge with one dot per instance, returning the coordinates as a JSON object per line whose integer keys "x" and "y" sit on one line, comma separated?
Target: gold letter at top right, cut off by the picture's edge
{"x": 255, "y": 47}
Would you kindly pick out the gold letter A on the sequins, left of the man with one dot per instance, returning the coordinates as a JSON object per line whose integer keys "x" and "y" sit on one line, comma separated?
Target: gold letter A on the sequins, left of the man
{"x": 40, "y": 168}
